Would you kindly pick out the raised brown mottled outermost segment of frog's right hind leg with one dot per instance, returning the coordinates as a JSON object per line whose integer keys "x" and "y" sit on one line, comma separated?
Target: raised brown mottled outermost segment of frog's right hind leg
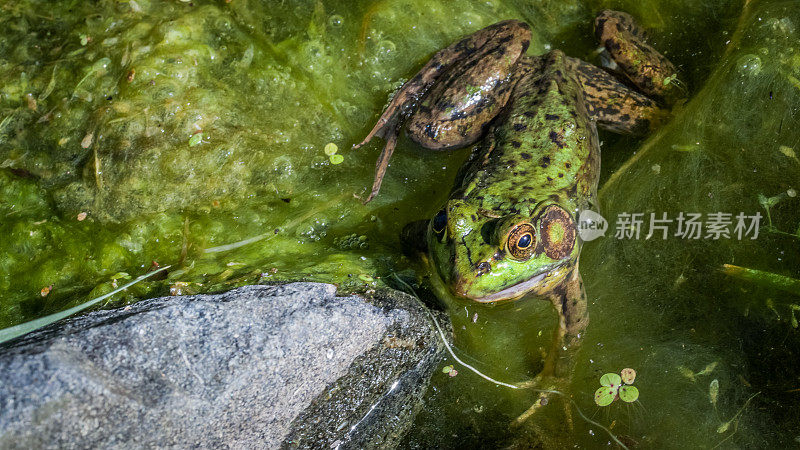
{"x": 647, "y": 69}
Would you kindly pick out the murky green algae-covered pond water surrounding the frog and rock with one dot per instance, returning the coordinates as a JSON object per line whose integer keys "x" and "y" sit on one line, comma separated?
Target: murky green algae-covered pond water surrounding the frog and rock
{"x": 137, "y": 133}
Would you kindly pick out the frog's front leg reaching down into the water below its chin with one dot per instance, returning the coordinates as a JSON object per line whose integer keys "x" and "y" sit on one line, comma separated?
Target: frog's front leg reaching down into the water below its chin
{"x": 569, "y": 300}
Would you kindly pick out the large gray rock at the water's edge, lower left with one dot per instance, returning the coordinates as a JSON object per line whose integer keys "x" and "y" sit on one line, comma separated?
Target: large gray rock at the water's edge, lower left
{"x": 260, "y": 366}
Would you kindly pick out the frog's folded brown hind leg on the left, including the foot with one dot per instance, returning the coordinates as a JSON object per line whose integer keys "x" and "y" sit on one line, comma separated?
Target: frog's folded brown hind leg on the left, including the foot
{"x": 450, "y": 101}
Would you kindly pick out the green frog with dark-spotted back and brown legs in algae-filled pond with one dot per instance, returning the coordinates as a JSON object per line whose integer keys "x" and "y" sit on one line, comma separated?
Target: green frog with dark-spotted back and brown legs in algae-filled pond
{"x": 509, "y": 227}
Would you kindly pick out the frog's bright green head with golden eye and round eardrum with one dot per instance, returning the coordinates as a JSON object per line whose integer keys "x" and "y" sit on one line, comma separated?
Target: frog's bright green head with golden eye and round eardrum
{"x": 487, "y": 258}
